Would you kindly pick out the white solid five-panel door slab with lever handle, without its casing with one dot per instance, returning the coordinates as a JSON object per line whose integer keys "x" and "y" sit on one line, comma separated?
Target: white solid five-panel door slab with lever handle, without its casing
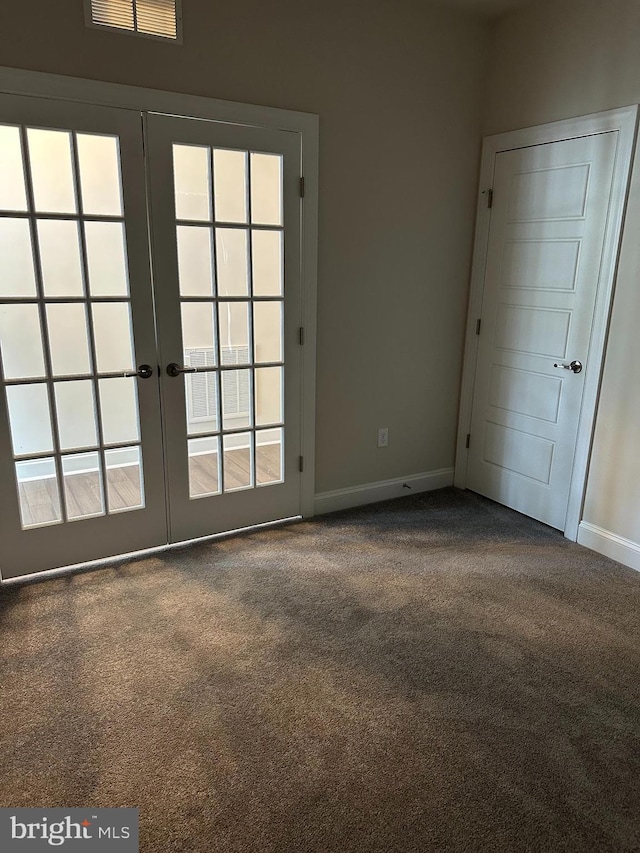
{"x": 548, "y": 225}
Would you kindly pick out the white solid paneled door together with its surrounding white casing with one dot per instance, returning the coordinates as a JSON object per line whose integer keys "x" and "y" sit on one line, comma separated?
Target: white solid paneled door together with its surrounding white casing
{"x": 543, "y": 275}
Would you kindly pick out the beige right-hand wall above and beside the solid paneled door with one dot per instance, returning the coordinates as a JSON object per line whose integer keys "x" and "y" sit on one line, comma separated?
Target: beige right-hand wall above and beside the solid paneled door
{"x": 552, "y": 61}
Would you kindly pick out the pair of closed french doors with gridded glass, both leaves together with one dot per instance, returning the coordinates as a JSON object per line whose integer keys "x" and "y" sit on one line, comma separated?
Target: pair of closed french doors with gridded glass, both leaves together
{"x": 138, "y": 410}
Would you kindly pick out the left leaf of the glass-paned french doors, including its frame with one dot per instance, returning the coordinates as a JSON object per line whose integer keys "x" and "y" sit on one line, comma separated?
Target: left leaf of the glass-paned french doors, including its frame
{"x": 81, "y": 472}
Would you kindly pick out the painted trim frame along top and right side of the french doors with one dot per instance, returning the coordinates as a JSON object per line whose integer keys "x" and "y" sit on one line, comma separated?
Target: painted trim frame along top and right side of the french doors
{"x": 16, "y": 81}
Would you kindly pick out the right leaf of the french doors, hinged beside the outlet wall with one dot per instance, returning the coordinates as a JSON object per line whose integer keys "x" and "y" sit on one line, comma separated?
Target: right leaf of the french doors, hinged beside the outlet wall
{"x": 222, "y": 197}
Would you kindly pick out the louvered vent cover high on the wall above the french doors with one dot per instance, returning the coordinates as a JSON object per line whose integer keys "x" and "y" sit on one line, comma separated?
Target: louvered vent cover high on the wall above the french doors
{"x": 155, "y": 18}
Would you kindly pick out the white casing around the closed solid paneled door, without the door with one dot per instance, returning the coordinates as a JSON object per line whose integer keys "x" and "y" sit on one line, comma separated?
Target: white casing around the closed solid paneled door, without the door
{"x": 625, "y": 121}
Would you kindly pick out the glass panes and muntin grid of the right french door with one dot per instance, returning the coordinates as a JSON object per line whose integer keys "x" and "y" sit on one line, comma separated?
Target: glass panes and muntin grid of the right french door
{"x": 230, "y": 238}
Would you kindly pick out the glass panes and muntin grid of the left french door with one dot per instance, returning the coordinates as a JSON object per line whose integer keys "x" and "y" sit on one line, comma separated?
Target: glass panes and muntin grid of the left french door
{"x": 66, "y": 334}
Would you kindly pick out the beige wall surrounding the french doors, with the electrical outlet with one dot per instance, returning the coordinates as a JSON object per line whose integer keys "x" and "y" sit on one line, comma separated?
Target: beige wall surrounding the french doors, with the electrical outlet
{"x": 394, "y": 82}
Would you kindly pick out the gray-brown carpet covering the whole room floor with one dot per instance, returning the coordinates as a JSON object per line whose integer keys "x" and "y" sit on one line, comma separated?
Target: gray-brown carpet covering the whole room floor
{"x": 432, "y": 673}
